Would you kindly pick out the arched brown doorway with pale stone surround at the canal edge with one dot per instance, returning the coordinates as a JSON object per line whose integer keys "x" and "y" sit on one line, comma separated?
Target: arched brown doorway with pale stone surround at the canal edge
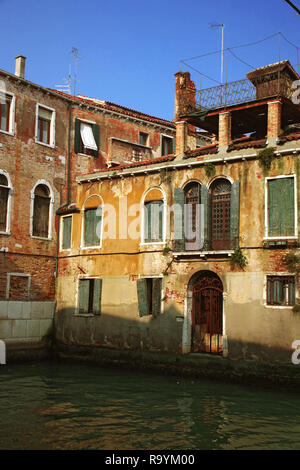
{"x": 207, "y": 314}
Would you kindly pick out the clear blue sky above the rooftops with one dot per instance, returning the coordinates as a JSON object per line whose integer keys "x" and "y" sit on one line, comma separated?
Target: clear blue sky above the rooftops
{"x": 131, "y": 49}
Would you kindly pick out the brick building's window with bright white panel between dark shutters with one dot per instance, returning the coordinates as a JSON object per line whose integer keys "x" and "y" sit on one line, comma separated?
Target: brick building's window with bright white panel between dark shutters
{"x": 87, "y": 136}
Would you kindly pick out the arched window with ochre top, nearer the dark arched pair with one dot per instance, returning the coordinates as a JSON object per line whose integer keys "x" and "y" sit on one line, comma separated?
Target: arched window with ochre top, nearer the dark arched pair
{"x": 153, "y": 216}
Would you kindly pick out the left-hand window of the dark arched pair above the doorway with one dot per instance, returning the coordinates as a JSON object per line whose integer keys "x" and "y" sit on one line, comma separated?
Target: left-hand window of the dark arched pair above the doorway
{"x": 192, "y": 218}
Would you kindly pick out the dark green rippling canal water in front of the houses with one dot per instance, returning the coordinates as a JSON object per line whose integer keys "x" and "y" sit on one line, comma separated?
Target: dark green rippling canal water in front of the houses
{"x": 62, "y": 406}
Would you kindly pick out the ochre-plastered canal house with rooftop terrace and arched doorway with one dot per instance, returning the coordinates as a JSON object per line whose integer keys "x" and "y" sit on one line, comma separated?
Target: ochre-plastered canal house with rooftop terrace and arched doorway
{"x": 187, "y": 252}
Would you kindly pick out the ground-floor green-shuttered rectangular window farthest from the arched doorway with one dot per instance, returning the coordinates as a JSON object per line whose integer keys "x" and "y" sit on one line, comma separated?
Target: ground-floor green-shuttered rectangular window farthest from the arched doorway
{"x": 90, "y": 291}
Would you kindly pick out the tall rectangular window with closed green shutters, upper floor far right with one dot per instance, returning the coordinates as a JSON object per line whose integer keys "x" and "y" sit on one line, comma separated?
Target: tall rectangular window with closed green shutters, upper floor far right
{"x": 281, "y": 207}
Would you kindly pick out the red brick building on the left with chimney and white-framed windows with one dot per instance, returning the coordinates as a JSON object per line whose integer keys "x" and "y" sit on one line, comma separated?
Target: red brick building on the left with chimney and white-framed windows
{"x": 47, "y": 139}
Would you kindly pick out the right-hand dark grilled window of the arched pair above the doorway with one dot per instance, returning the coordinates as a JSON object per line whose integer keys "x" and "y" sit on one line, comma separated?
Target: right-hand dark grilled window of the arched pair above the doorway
{"x": 220, "y": 216}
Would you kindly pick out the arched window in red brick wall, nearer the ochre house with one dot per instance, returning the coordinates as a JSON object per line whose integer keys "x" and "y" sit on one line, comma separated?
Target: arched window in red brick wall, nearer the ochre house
{"x": 41, "y": 211}
